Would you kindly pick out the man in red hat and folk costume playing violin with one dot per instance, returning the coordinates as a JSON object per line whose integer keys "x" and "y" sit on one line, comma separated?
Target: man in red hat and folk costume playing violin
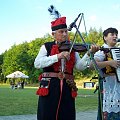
{"x": 58, "y": 90}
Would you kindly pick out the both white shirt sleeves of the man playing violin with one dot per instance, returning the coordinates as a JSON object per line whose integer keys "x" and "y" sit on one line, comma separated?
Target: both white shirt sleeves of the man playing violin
{"x": 42, "y": 60}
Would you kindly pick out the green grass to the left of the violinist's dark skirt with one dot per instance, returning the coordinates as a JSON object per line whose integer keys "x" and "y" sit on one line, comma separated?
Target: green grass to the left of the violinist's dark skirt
{"x": 18, "y": 101}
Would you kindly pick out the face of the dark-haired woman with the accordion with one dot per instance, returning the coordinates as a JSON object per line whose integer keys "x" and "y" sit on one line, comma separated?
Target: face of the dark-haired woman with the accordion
{"x": 111, "y": 39}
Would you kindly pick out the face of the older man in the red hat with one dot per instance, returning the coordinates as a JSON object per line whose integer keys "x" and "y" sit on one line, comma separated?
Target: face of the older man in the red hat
{"x": 60, "y": 35}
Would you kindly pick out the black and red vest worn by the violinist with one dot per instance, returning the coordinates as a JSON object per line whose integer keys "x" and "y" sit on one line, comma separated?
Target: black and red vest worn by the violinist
{"x": 53, "y": 49}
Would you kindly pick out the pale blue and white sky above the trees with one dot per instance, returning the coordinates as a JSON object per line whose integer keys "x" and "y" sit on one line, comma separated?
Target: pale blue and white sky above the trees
{"x": 26, "y": 20}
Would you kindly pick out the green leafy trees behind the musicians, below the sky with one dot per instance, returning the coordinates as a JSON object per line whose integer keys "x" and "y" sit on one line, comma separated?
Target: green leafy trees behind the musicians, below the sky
{"x": 21, "y": 57}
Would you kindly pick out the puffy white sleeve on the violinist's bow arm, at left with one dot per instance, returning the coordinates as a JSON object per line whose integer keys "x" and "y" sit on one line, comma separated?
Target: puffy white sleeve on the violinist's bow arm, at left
{"x": 42, "y": 60}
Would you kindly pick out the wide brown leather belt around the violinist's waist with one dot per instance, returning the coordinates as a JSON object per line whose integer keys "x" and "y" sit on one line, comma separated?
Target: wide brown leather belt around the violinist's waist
{"x": 59, "y": 75}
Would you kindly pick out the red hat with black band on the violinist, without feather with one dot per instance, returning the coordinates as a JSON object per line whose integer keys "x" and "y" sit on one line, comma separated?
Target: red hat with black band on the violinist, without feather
{"x": 59, "y": 23}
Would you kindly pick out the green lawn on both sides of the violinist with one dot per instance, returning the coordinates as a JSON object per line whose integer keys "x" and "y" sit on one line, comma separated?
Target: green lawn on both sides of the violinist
{"x": 24, "y": 101}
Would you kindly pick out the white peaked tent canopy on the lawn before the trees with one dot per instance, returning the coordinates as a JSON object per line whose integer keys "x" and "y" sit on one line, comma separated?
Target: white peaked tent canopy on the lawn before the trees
{"x": 17, "y": 74}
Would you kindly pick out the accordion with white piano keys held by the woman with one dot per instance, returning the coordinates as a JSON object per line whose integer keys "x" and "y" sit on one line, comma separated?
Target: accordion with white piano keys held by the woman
{"x": 115, "y": 53}
